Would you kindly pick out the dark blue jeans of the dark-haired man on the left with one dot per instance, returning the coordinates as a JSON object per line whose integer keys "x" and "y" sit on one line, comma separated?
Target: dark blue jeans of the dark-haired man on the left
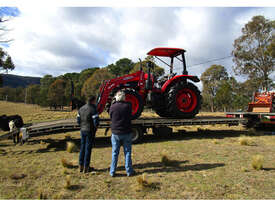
{"x": 87, "y": 141}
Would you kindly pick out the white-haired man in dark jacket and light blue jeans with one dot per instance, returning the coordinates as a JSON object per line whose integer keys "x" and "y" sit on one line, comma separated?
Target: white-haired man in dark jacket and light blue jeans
{"x": 120, "y": 113}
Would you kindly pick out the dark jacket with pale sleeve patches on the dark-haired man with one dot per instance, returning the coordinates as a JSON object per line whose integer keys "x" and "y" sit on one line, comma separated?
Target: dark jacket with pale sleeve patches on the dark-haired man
{"x": 87, "y": 118}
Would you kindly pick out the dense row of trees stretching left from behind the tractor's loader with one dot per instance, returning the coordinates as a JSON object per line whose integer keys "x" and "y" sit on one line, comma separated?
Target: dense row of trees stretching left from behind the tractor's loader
{"x": 59, "y": 91}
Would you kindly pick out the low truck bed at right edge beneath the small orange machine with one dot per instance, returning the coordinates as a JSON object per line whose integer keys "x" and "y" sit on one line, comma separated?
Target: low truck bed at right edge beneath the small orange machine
{"x": 255, "y": 119}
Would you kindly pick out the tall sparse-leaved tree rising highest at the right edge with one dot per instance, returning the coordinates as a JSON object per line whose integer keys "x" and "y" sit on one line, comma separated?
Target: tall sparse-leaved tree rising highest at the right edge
{"x": 253, "y": 52}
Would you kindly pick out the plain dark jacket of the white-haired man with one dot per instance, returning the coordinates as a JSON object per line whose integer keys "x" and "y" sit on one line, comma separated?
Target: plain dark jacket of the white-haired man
{"x": 120, "y": 113}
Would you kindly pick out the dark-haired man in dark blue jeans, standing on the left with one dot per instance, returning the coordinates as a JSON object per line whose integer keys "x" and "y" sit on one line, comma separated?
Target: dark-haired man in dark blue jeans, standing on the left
{"x": 88, "y": 120}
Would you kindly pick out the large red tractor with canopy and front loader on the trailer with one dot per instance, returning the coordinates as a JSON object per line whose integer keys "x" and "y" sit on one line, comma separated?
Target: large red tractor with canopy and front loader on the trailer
{"x": 173, "y": 96}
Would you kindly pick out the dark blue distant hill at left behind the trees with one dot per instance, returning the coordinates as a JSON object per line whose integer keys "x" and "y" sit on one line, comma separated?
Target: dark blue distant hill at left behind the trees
{"x": 10, "y": 80}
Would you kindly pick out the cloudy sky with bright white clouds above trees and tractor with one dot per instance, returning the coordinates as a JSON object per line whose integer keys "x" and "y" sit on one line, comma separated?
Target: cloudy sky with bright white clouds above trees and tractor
{"x": 56, "y": 40}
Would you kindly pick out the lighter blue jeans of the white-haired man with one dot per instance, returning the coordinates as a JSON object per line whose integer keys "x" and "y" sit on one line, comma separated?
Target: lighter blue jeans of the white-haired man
{"x": 117, "y": 141}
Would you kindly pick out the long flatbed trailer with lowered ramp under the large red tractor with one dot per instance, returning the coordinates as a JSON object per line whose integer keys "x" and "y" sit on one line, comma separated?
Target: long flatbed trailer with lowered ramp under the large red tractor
{"x": 159, "y": 126}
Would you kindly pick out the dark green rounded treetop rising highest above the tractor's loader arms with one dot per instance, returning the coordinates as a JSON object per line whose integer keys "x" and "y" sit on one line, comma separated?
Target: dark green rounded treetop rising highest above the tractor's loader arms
{"x": 121, "y": 67}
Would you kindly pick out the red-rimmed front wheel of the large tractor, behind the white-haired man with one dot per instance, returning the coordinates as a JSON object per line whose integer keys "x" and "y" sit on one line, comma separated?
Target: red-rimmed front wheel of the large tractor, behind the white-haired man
{"x": 136, "y": 101}
